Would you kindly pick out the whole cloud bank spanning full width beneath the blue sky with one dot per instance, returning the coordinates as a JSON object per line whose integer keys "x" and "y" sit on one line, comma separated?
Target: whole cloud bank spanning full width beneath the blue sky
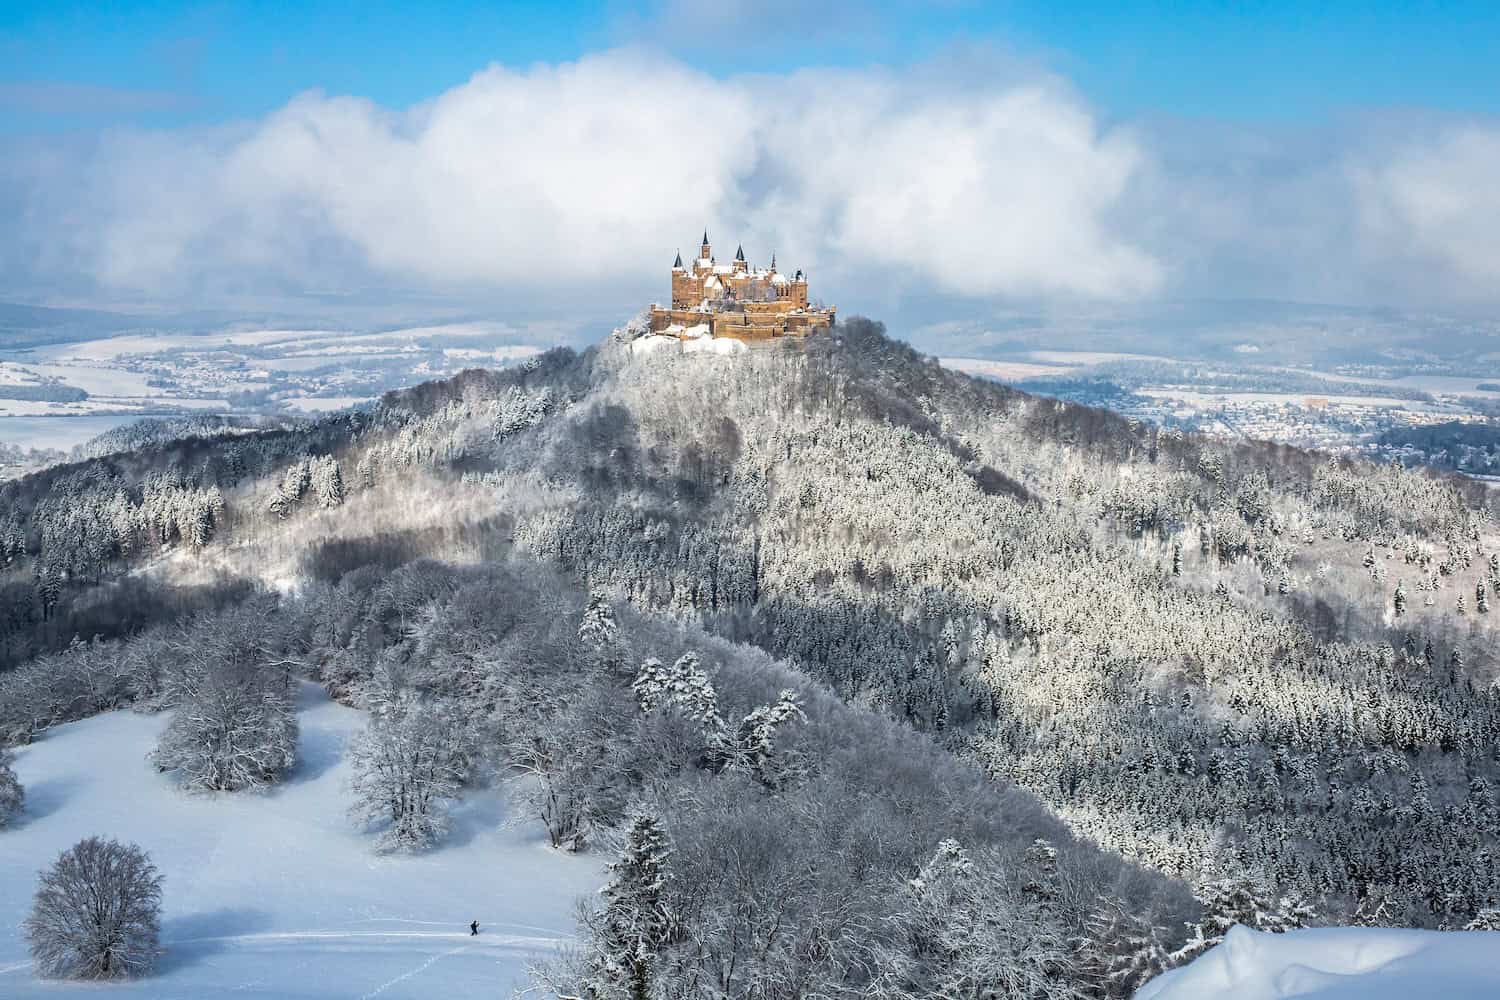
{"x": 580, "y": 181}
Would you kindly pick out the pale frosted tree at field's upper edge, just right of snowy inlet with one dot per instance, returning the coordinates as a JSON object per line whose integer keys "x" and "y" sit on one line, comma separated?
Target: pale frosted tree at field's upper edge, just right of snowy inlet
{"x": 412, "y": 758}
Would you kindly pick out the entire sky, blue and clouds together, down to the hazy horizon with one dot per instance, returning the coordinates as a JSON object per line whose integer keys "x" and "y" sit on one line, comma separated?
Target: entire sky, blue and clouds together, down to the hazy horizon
{"x": 548, "y": 157}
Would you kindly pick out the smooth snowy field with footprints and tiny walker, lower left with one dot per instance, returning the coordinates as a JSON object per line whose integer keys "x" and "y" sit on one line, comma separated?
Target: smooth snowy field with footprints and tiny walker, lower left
{"x": 280, "y": 896}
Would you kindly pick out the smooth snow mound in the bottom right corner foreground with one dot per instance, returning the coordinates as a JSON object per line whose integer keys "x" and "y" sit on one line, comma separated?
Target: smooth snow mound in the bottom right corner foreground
{"x": 1346, "y": 963}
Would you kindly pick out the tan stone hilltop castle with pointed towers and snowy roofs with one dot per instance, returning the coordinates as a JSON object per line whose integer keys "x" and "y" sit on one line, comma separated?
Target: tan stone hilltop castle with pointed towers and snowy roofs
{"x": 737, "y": 301}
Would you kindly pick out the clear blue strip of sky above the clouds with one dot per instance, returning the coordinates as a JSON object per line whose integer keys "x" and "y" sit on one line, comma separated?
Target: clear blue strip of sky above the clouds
{"x": 200, "y": 62}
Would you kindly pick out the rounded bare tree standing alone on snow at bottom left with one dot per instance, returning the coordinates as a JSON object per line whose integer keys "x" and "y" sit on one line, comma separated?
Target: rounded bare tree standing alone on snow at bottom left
{"x": 97, "y": 914}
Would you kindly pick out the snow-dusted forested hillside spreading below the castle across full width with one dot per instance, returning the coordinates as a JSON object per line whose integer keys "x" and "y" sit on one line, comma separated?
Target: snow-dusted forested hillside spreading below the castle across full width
{"x": 1259, "y": 671}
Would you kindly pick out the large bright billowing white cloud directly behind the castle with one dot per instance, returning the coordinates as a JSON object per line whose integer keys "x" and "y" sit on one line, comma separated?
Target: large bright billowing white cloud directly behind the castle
{"x": 589, "y": 175}
